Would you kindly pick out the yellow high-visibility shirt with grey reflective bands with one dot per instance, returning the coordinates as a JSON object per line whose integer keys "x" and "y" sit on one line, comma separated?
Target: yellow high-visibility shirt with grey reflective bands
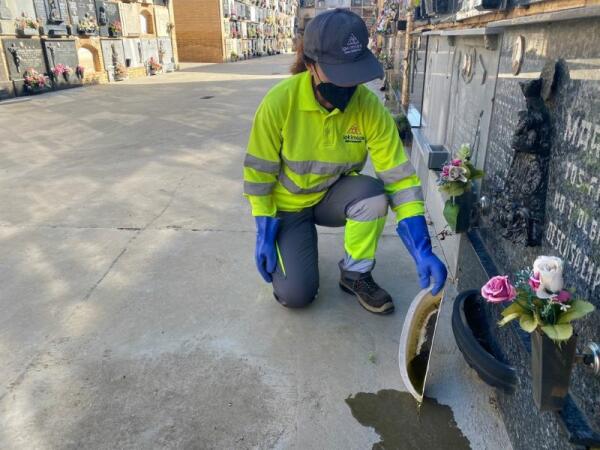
{"x": 297, "y": 150}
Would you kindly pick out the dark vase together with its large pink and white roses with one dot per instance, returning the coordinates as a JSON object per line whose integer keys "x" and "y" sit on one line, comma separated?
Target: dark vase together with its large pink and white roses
{"x": 545, "y": 310}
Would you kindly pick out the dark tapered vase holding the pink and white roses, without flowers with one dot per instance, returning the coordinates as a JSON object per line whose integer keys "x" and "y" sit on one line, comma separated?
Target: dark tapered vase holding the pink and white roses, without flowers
{"x": 551, "y": 366}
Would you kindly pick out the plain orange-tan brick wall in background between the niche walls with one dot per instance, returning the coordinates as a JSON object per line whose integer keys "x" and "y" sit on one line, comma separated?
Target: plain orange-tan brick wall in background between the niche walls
{"x": 198, "y": 24}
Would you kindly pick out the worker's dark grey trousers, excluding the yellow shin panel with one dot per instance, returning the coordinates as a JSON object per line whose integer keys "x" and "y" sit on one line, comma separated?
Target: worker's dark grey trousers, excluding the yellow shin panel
{"x": 297, "y": 282}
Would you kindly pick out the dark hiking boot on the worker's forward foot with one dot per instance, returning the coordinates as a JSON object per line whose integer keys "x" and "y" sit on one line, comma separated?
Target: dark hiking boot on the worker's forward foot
{"x": 370, "y": 296}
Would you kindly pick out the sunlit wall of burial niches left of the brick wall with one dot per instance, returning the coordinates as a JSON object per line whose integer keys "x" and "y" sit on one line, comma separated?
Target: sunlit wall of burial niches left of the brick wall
{"x": 72, "y": 33}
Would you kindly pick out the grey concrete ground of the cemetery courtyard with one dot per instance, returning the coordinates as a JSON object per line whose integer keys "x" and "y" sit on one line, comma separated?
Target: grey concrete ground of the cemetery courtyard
{"x": 132, "y": 315}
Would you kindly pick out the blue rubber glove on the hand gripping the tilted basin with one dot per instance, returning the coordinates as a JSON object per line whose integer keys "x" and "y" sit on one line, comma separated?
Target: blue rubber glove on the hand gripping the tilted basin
{"x": 413, "y": 232}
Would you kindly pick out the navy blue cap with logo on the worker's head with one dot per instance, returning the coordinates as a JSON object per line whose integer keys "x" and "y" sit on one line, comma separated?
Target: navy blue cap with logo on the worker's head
{"x": 338, "y": 41}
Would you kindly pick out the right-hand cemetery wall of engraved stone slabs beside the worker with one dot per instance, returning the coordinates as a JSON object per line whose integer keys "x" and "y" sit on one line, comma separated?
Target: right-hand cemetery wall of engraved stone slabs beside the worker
{"x": 528, "y": 103}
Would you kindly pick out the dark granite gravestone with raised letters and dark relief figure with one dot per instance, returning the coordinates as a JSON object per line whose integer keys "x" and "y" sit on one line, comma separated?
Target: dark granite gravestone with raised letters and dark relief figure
{"x": 560, "y": 191}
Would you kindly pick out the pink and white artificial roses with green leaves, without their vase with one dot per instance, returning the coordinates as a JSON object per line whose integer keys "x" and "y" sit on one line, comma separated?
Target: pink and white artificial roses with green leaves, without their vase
{"x": 537, "y": 299}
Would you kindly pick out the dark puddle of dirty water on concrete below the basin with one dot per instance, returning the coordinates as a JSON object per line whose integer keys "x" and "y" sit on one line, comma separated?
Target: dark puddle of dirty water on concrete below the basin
{"x": 402, "y": 425}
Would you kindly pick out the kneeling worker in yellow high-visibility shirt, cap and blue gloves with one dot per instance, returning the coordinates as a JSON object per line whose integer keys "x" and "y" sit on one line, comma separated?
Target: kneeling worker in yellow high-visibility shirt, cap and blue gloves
{"x": 310, "y": 139}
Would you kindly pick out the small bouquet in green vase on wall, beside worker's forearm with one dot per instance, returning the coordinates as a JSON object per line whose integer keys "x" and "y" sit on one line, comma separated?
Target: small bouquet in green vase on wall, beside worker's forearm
{"x": 456, "y": 181}
